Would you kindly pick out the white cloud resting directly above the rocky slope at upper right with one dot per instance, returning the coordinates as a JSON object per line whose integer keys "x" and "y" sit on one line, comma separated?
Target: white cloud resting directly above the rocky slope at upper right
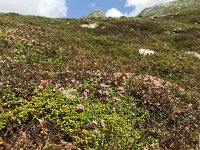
{"x": 142, "y": 4}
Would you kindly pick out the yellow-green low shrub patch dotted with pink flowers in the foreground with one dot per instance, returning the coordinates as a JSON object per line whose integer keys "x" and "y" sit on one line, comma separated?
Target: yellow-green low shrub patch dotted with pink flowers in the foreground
{"x": 99, "y": 120}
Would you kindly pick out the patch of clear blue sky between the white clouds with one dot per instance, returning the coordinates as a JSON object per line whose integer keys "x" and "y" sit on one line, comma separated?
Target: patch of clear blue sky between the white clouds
{"x": 78, "y": 8}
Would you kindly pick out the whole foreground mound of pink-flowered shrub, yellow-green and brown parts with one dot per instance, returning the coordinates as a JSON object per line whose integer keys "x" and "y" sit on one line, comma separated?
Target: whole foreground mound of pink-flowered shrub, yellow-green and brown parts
{"x": 126, "y": 111}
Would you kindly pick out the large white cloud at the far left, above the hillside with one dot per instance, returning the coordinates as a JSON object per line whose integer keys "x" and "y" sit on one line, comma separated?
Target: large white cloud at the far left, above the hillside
{"x": 48, "y": 8}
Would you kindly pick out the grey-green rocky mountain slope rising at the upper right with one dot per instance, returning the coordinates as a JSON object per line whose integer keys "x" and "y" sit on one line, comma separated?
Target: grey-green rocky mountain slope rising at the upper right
{"x": 175, "y": 7}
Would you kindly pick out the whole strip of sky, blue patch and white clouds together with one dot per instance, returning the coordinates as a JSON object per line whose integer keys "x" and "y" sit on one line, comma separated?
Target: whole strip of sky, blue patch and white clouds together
{"x": 76, "y": 8}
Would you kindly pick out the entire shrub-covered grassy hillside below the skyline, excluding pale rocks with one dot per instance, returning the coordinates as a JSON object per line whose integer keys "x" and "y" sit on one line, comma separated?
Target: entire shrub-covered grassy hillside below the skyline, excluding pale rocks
{"x": 67, "y": 87}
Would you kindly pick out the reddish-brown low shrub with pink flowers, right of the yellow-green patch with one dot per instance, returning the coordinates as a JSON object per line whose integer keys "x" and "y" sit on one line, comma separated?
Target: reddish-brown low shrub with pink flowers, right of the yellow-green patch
{"x": 171, "y": 111}
